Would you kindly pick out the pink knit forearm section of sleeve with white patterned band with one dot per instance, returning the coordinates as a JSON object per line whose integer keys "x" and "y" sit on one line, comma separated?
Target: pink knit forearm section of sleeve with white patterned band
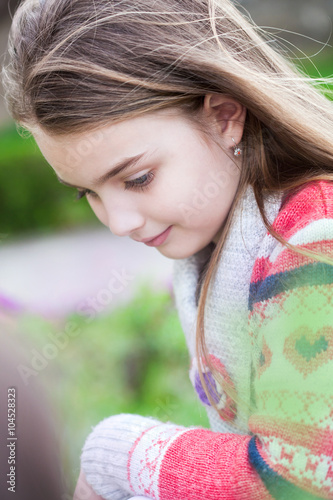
{"x": 193, "y": 464}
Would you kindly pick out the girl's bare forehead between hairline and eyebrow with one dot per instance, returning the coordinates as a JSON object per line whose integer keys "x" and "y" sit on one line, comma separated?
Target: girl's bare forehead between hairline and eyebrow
{"x": 110, "y": 143}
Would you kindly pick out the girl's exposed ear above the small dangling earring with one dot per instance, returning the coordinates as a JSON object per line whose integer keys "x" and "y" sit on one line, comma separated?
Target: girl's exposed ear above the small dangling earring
{"x": 226, "y": 116}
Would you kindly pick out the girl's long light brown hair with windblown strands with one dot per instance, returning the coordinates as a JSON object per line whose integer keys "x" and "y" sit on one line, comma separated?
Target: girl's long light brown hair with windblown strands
{"x": 79, "y": 64}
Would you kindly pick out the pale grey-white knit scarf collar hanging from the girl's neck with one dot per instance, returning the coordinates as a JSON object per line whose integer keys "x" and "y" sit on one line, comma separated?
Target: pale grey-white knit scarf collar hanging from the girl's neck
{"x": 226, "y": 309}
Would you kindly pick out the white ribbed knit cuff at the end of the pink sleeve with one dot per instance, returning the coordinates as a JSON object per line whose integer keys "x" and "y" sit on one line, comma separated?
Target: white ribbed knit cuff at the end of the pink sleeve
{"x": 118, "y": 454}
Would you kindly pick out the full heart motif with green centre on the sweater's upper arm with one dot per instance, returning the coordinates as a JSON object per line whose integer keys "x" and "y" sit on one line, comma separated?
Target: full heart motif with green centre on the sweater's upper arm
{"x": 308, "y": 350}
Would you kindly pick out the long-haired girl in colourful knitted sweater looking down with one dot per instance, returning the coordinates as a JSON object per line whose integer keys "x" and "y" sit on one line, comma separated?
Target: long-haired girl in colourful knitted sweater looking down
{"x": 189, "y": 132}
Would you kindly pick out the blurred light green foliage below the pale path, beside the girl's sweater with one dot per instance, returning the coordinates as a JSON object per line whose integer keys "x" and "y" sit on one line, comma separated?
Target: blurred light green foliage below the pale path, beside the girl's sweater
{"x": 132, "y": 360}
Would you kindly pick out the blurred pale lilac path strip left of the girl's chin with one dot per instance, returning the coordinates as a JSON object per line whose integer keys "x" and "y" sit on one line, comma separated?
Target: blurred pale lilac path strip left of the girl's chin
{"x": 61, "y": 273}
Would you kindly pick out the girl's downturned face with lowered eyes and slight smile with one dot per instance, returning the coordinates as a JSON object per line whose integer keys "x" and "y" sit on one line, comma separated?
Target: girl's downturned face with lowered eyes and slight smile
{"x": 155, "y": 178}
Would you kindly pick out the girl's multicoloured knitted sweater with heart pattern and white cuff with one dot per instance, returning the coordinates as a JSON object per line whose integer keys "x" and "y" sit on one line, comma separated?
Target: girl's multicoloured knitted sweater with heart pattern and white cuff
{"x": 269, "y": 332}
